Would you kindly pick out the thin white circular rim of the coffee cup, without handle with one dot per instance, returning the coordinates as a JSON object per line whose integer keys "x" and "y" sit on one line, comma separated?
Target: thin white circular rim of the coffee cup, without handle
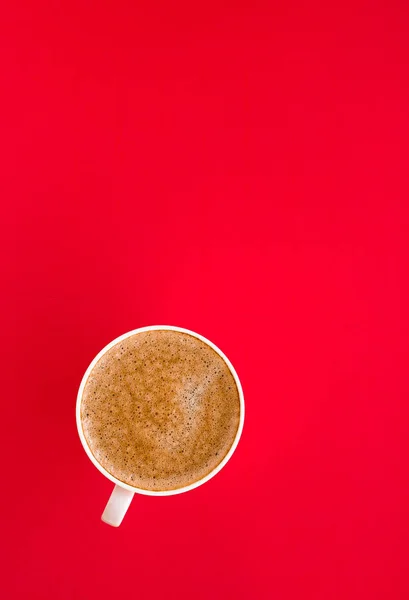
{"x": 195, "y": 484}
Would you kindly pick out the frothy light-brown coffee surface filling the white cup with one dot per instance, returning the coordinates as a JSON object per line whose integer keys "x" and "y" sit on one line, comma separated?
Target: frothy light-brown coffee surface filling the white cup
{"x": 160, "y": 410}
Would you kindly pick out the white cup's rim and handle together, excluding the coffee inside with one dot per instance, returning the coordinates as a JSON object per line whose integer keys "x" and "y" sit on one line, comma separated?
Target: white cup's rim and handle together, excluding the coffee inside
{"x": 123, "y": 493}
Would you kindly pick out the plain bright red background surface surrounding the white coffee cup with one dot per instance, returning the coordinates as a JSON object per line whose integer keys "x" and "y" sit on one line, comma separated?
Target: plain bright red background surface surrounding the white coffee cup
{"x": 240, "y": 169}
